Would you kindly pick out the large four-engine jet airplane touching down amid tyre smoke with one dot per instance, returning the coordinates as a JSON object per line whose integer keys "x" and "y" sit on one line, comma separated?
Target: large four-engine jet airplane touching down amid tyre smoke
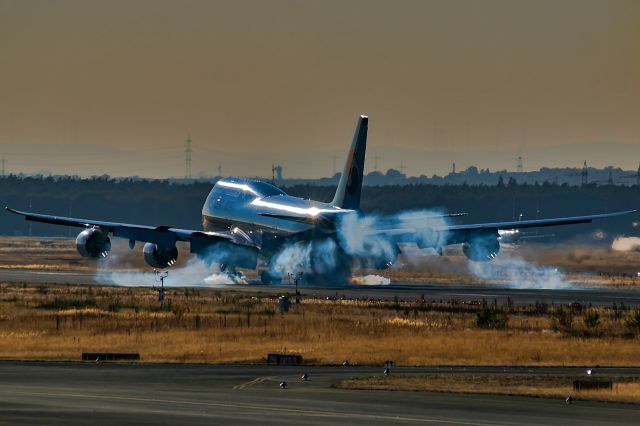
{"x": 248, "y": 223}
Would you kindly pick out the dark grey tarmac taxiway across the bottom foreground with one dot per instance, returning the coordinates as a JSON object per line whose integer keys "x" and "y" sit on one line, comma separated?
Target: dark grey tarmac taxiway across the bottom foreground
{"x": 163, "y": 394}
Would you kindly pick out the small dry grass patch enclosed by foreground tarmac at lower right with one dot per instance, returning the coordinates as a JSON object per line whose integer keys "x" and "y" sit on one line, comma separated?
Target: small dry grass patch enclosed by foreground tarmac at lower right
{"x": 625, "y": 389}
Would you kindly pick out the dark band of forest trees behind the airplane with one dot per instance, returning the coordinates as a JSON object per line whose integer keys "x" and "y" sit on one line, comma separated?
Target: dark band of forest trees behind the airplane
{"x": 162, "y": 202}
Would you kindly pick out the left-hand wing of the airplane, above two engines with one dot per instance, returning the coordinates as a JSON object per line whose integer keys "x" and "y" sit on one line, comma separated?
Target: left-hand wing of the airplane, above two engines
{"x": 162, "y": 235}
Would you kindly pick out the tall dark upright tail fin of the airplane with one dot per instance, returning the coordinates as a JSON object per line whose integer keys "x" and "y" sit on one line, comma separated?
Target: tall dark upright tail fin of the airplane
{"x": 350, "y": 185}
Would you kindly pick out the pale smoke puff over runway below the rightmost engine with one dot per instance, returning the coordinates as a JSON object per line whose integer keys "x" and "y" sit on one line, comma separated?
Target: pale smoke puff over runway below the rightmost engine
{"x": 519, "y": 273}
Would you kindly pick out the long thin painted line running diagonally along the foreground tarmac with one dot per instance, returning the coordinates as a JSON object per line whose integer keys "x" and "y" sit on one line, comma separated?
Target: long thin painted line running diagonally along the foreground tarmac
{"x": 262, "y": 408}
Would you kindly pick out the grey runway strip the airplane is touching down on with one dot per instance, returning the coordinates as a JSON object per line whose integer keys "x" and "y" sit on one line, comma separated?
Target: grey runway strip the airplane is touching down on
{"x": 597, "y": 296}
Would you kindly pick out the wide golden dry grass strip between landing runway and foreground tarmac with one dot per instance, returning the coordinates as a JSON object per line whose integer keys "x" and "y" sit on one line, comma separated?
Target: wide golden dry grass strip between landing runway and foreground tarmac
{"x": 206, "y": 325}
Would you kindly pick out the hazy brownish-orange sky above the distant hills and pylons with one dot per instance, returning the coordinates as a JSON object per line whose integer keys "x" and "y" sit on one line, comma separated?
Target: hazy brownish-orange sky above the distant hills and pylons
{"x": 91, "y": 87}
